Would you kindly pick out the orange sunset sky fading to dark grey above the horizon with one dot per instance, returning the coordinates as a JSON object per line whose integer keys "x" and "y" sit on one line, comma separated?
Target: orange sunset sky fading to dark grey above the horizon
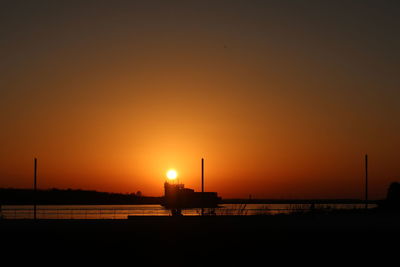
{"x": 281, "y": 98}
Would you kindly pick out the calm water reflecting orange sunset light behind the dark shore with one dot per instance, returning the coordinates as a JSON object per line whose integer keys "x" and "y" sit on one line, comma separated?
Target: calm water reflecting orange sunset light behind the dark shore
{"x": 123, "y": 211}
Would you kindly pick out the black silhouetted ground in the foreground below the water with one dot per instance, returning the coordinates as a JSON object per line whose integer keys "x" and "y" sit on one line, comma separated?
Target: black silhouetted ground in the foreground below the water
{"x": 316, "y": 240}
